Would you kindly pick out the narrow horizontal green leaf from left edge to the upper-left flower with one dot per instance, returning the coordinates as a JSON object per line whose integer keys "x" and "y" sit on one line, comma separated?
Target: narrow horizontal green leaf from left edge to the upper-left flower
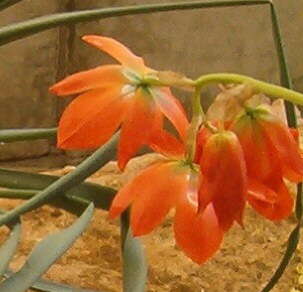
{"x": 14, "y": 135}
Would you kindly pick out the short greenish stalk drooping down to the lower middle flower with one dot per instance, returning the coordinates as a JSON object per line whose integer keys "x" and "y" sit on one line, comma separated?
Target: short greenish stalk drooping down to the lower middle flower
{"x": 197, "y": 118}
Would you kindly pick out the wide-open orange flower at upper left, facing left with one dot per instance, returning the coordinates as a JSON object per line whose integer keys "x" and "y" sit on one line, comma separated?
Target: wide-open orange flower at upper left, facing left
{"x": 115, "y": 95}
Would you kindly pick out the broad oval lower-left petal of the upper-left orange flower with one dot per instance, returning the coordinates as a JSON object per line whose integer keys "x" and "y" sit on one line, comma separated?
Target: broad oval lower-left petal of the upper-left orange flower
{"x": 91, "y": 119}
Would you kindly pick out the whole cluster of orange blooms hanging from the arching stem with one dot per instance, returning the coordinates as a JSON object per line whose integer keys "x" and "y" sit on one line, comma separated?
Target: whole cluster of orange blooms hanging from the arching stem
{"x": 242, "y": 151}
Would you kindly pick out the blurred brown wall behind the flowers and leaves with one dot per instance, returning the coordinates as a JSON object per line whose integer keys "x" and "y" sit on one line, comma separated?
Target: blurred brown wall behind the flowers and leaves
{"x": 194, "y": 42}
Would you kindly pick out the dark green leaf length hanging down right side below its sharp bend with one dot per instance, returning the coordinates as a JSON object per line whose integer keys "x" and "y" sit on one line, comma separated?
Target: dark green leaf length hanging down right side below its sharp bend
{"x": 294, "y": 237}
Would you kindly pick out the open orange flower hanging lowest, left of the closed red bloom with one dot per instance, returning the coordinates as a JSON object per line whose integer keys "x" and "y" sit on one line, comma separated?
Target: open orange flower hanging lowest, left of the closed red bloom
{"x": 157, "y": 189}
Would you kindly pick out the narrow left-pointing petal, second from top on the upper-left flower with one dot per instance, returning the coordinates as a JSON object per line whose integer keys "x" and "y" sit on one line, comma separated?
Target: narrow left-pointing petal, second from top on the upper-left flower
{"x": 100, "y": 77}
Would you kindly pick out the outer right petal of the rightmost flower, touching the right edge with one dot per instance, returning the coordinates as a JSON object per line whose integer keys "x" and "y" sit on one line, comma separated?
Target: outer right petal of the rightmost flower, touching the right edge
{"x": 286, "y": 149}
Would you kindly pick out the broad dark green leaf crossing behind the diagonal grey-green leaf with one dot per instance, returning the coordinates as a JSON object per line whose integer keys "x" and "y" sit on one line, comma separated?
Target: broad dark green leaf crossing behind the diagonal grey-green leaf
{"x": 32, "y": 183}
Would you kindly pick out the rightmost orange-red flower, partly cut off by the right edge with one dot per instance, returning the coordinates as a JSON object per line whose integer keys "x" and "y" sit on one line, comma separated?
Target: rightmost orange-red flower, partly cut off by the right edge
{"x": 271, "y": 153}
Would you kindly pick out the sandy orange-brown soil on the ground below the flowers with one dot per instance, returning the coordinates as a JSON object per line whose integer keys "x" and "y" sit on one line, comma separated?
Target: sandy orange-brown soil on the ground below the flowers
{"x": 245, "y": 262}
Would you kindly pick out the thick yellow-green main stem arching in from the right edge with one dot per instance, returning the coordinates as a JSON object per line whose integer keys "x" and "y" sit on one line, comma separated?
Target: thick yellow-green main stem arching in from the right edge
{"x": 261, "y": 86}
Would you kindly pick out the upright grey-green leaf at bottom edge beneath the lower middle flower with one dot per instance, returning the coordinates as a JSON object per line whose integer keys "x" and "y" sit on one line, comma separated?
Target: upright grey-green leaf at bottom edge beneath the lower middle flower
{"x": 134, "y": 263}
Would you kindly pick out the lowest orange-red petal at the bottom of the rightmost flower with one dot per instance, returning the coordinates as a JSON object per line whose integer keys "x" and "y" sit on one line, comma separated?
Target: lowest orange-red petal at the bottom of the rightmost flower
{"x": 280, "y": 209}
